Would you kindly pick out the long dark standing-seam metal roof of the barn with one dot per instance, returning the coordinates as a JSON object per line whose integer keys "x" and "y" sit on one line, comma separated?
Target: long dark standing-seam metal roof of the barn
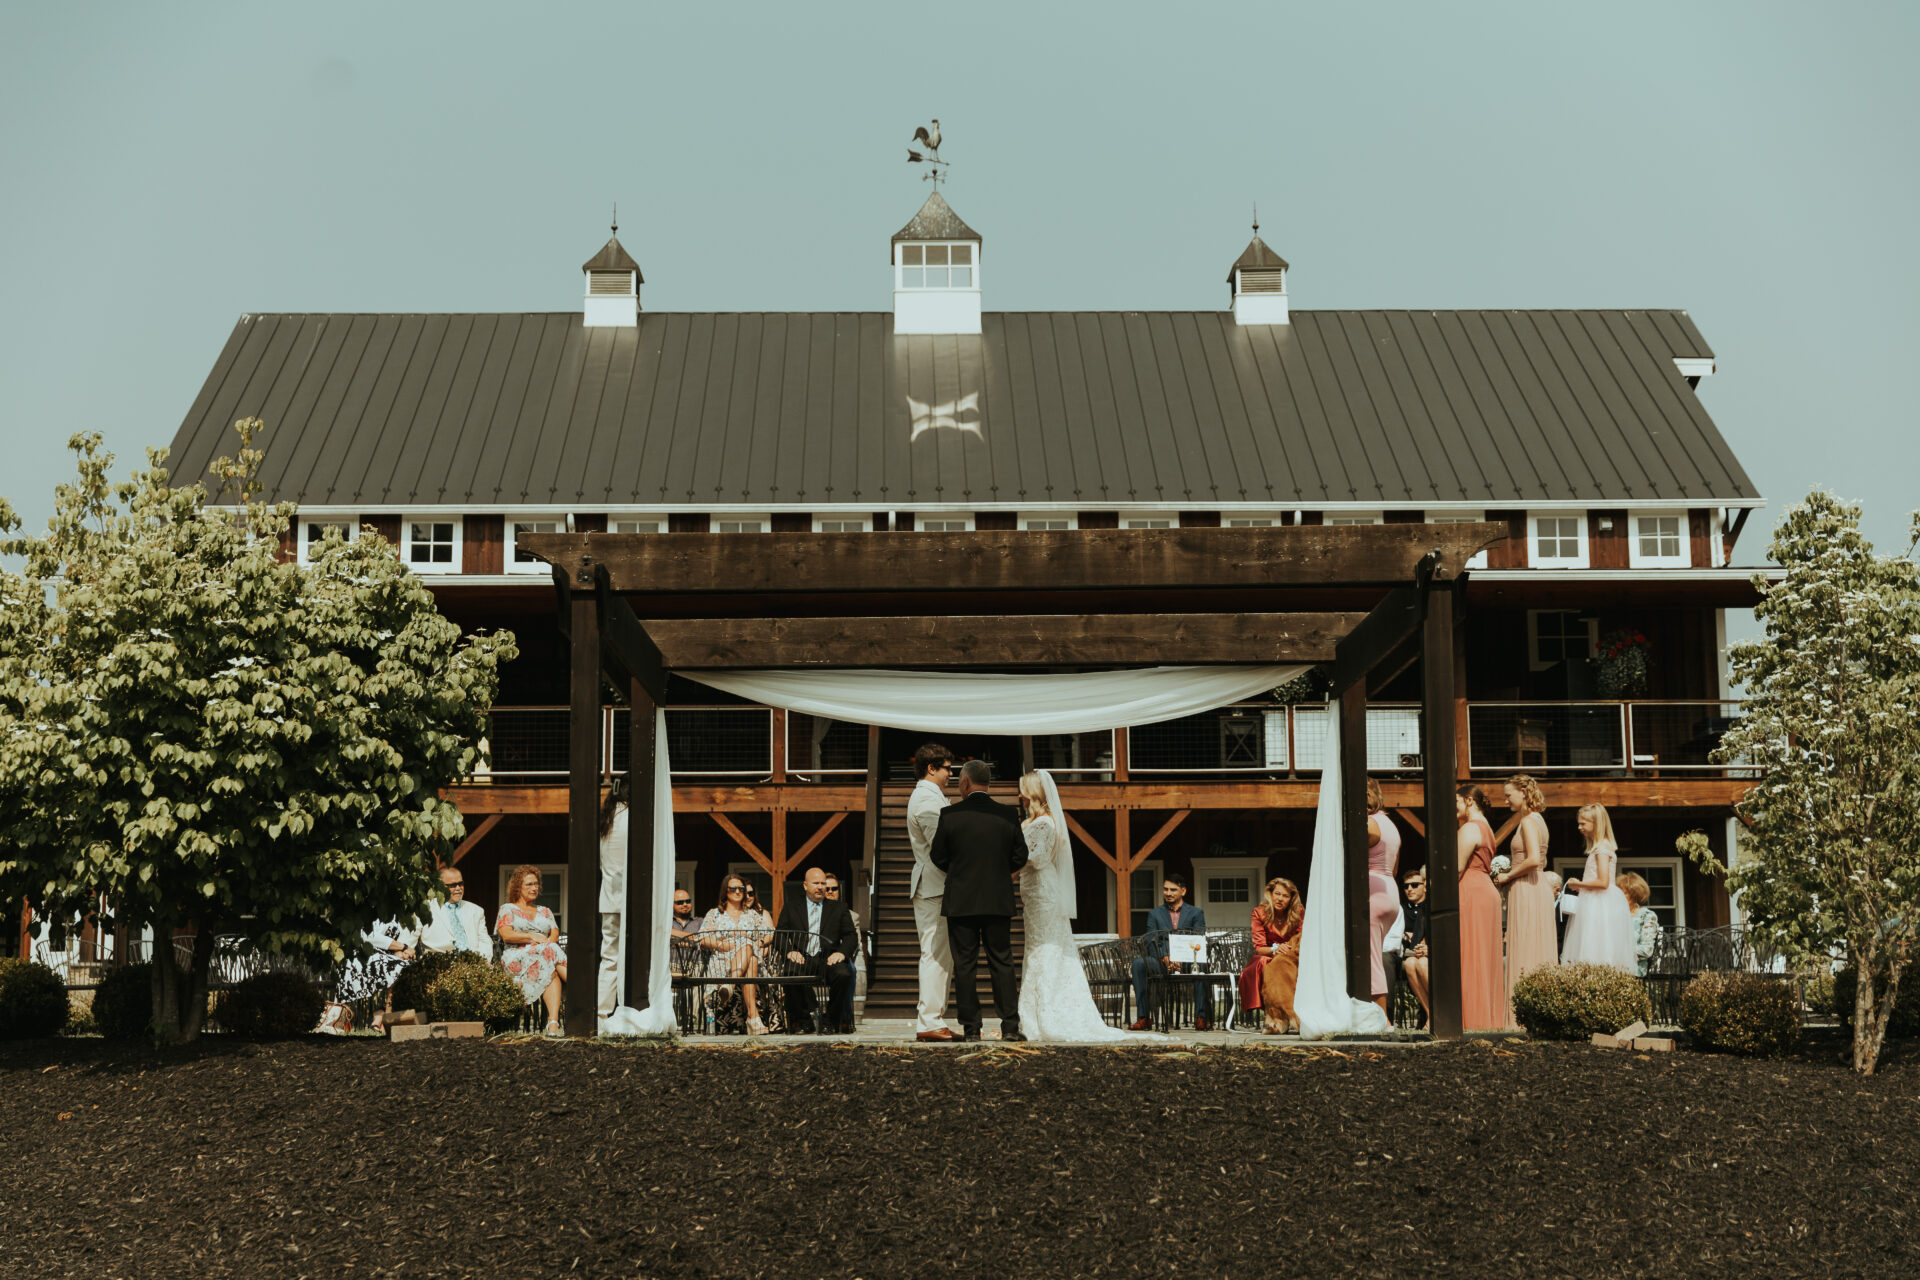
{"x": 1189, "y": 410}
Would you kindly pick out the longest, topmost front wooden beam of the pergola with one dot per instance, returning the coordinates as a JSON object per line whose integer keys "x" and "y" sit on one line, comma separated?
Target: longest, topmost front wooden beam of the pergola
{"x": 1383, "y": 556}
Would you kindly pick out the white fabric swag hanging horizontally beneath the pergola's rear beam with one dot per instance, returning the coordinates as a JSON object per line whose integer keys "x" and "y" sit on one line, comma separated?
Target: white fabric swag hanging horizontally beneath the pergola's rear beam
{"x": 1005, "y": 705}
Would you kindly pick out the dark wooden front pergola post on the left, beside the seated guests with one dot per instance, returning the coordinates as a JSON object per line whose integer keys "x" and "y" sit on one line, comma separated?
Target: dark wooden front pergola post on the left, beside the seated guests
{"x": 585, "y": 723}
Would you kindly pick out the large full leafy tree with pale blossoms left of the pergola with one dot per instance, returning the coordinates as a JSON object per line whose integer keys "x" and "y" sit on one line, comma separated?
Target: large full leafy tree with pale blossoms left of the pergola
{"x": 220, "y": 740}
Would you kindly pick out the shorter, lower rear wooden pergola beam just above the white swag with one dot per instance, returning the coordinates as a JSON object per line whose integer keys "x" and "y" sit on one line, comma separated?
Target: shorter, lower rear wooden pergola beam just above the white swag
{"x": 1036, "y": 640}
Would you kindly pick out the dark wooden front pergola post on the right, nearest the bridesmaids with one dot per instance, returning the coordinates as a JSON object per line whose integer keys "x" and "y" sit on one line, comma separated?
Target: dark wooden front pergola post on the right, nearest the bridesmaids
{"x": 1443, "y": 861}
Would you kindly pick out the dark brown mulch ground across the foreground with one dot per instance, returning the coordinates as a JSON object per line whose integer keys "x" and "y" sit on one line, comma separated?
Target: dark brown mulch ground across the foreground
{"x": 506, "y": 1160}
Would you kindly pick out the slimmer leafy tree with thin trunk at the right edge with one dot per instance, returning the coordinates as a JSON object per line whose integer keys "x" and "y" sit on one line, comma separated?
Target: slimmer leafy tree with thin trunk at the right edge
{"x": 1831, "y": 859}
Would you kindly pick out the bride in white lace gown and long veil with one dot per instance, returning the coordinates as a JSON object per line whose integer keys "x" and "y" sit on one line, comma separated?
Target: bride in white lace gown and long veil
{"x": 1055, "y": 1001}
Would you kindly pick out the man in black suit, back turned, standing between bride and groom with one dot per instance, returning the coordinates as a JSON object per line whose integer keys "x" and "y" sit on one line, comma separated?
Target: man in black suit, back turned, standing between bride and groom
{"x": 980, "y": 849}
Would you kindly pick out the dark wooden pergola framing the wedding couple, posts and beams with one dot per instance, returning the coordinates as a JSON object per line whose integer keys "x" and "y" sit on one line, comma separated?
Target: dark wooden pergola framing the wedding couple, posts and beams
{"x": 640, "y": 605}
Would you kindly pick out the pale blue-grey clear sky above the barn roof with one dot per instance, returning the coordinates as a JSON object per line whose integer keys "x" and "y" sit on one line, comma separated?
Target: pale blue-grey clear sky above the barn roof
{"x": 168, "y": 168}
